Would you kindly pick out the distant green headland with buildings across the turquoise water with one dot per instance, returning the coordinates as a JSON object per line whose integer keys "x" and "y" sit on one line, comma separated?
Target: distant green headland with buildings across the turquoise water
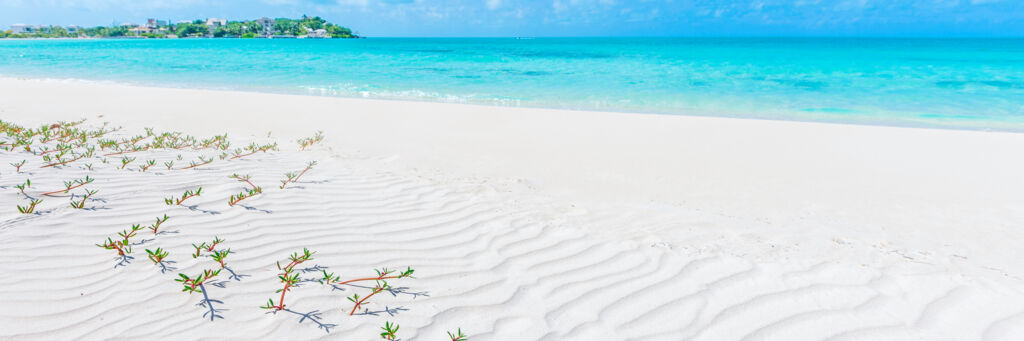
{"x": 307, "y": 27}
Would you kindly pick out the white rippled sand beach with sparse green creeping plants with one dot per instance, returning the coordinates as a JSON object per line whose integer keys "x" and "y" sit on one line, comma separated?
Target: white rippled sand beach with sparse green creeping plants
{"x": 521, "y": 224}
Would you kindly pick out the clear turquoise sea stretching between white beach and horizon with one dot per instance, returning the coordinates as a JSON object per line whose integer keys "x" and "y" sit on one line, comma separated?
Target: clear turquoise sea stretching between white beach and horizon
{"x": 951, "y": 83}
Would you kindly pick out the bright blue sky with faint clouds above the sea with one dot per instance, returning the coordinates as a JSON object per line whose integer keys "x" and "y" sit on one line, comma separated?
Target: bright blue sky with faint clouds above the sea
{"x": 566, "y": 18}
